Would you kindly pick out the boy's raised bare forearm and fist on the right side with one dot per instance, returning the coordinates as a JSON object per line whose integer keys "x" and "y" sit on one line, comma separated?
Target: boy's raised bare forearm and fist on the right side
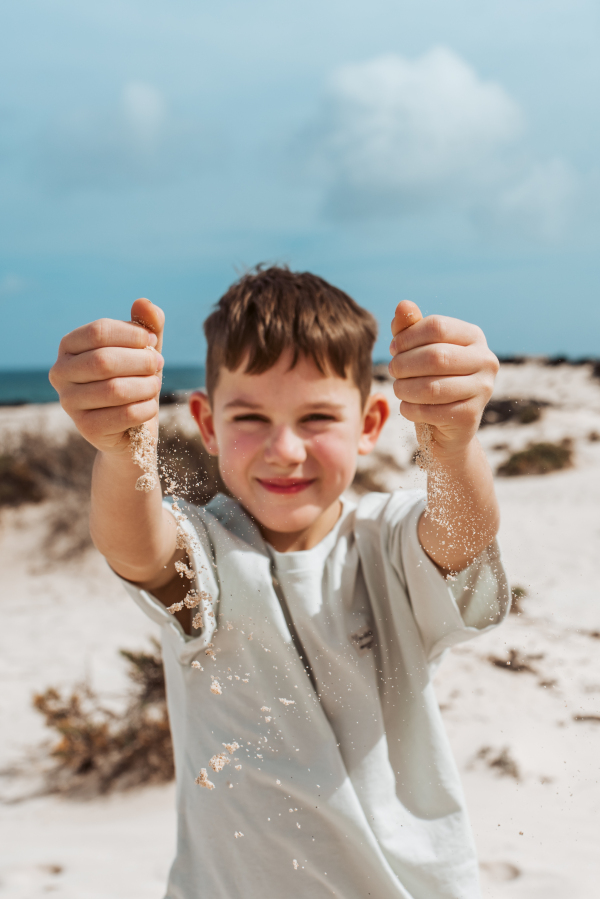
{"x": 444, "y": 376}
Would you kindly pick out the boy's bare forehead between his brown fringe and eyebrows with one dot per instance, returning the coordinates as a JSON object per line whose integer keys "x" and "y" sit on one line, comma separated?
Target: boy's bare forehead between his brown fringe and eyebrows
{"x": 302, "y": 383}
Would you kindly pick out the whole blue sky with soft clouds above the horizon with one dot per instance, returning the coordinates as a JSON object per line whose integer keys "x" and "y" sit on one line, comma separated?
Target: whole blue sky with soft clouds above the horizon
{"x": 442, "y": 152}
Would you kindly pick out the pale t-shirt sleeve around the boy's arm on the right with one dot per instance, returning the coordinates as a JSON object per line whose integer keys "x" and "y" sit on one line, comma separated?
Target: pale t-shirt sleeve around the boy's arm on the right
{"x": 448, "y": 610}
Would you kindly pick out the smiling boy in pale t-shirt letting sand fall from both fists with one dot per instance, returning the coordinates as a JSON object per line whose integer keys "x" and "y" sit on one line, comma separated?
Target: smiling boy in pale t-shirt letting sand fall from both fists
{"x": 307, "y": 687}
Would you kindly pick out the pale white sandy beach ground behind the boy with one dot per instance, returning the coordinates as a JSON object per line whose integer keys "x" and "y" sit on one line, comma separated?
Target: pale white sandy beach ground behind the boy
{"x": 526, "y": 736}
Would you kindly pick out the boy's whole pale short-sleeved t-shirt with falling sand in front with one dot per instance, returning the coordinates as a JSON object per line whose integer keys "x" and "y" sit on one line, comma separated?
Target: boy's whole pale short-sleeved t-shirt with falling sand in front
{"x": 348, "y": 788}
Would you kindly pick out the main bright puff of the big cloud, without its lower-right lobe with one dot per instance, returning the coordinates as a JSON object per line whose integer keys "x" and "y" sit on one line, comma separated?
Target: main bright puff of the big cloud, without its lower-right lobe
{"x": 397, "y": 133}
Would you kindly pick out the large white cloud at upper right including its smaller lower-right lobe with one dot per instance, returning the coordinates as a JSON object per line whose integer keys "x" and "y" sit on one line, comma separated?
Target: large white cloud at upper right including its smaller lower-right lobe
{"x": 397, "y": 136}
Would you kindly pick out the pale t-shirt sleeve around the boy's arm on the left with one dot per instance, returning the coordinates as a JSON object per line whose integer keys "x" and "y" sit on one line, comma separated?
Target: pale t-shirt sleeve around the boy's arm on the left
{"x": 205, "y": 582}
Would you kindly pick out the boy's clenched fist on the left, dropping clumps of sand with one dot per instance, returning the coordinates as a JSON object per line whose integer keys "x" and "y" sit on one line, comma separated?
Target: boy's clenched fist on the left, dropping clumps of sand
{"x": 108, "y": 376}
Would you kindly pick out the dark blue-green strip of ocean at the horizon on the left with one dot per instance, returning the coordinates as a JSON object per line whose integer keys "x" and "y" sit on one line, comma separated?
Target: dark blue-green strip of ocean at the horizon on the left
{"x": 18, "y": 388}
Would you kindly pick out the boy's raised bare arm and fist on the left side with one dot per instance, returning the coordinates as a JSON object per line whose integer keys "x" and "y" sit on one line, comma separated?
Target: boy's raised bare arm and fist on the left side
{"x": 108, "y": 378}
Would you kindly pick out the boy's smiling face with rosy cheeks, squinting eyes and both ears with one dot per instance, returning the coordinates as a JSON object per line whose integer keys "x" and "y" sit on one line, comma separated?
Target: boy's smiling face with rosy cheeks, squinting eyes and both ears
{"x": 287, "y": 441}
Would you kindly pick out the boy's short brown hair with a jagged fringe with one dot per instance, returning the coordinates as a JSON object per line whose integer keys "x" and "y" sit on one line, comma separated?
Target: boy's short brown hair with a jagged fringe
{"x": 273, "y": 309}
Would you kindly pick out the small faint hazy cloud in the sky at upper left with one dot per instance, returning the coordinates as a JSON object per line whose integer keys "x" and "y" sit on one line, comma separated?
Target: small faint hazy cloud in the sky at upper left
{"x": 137, "y": 141}
